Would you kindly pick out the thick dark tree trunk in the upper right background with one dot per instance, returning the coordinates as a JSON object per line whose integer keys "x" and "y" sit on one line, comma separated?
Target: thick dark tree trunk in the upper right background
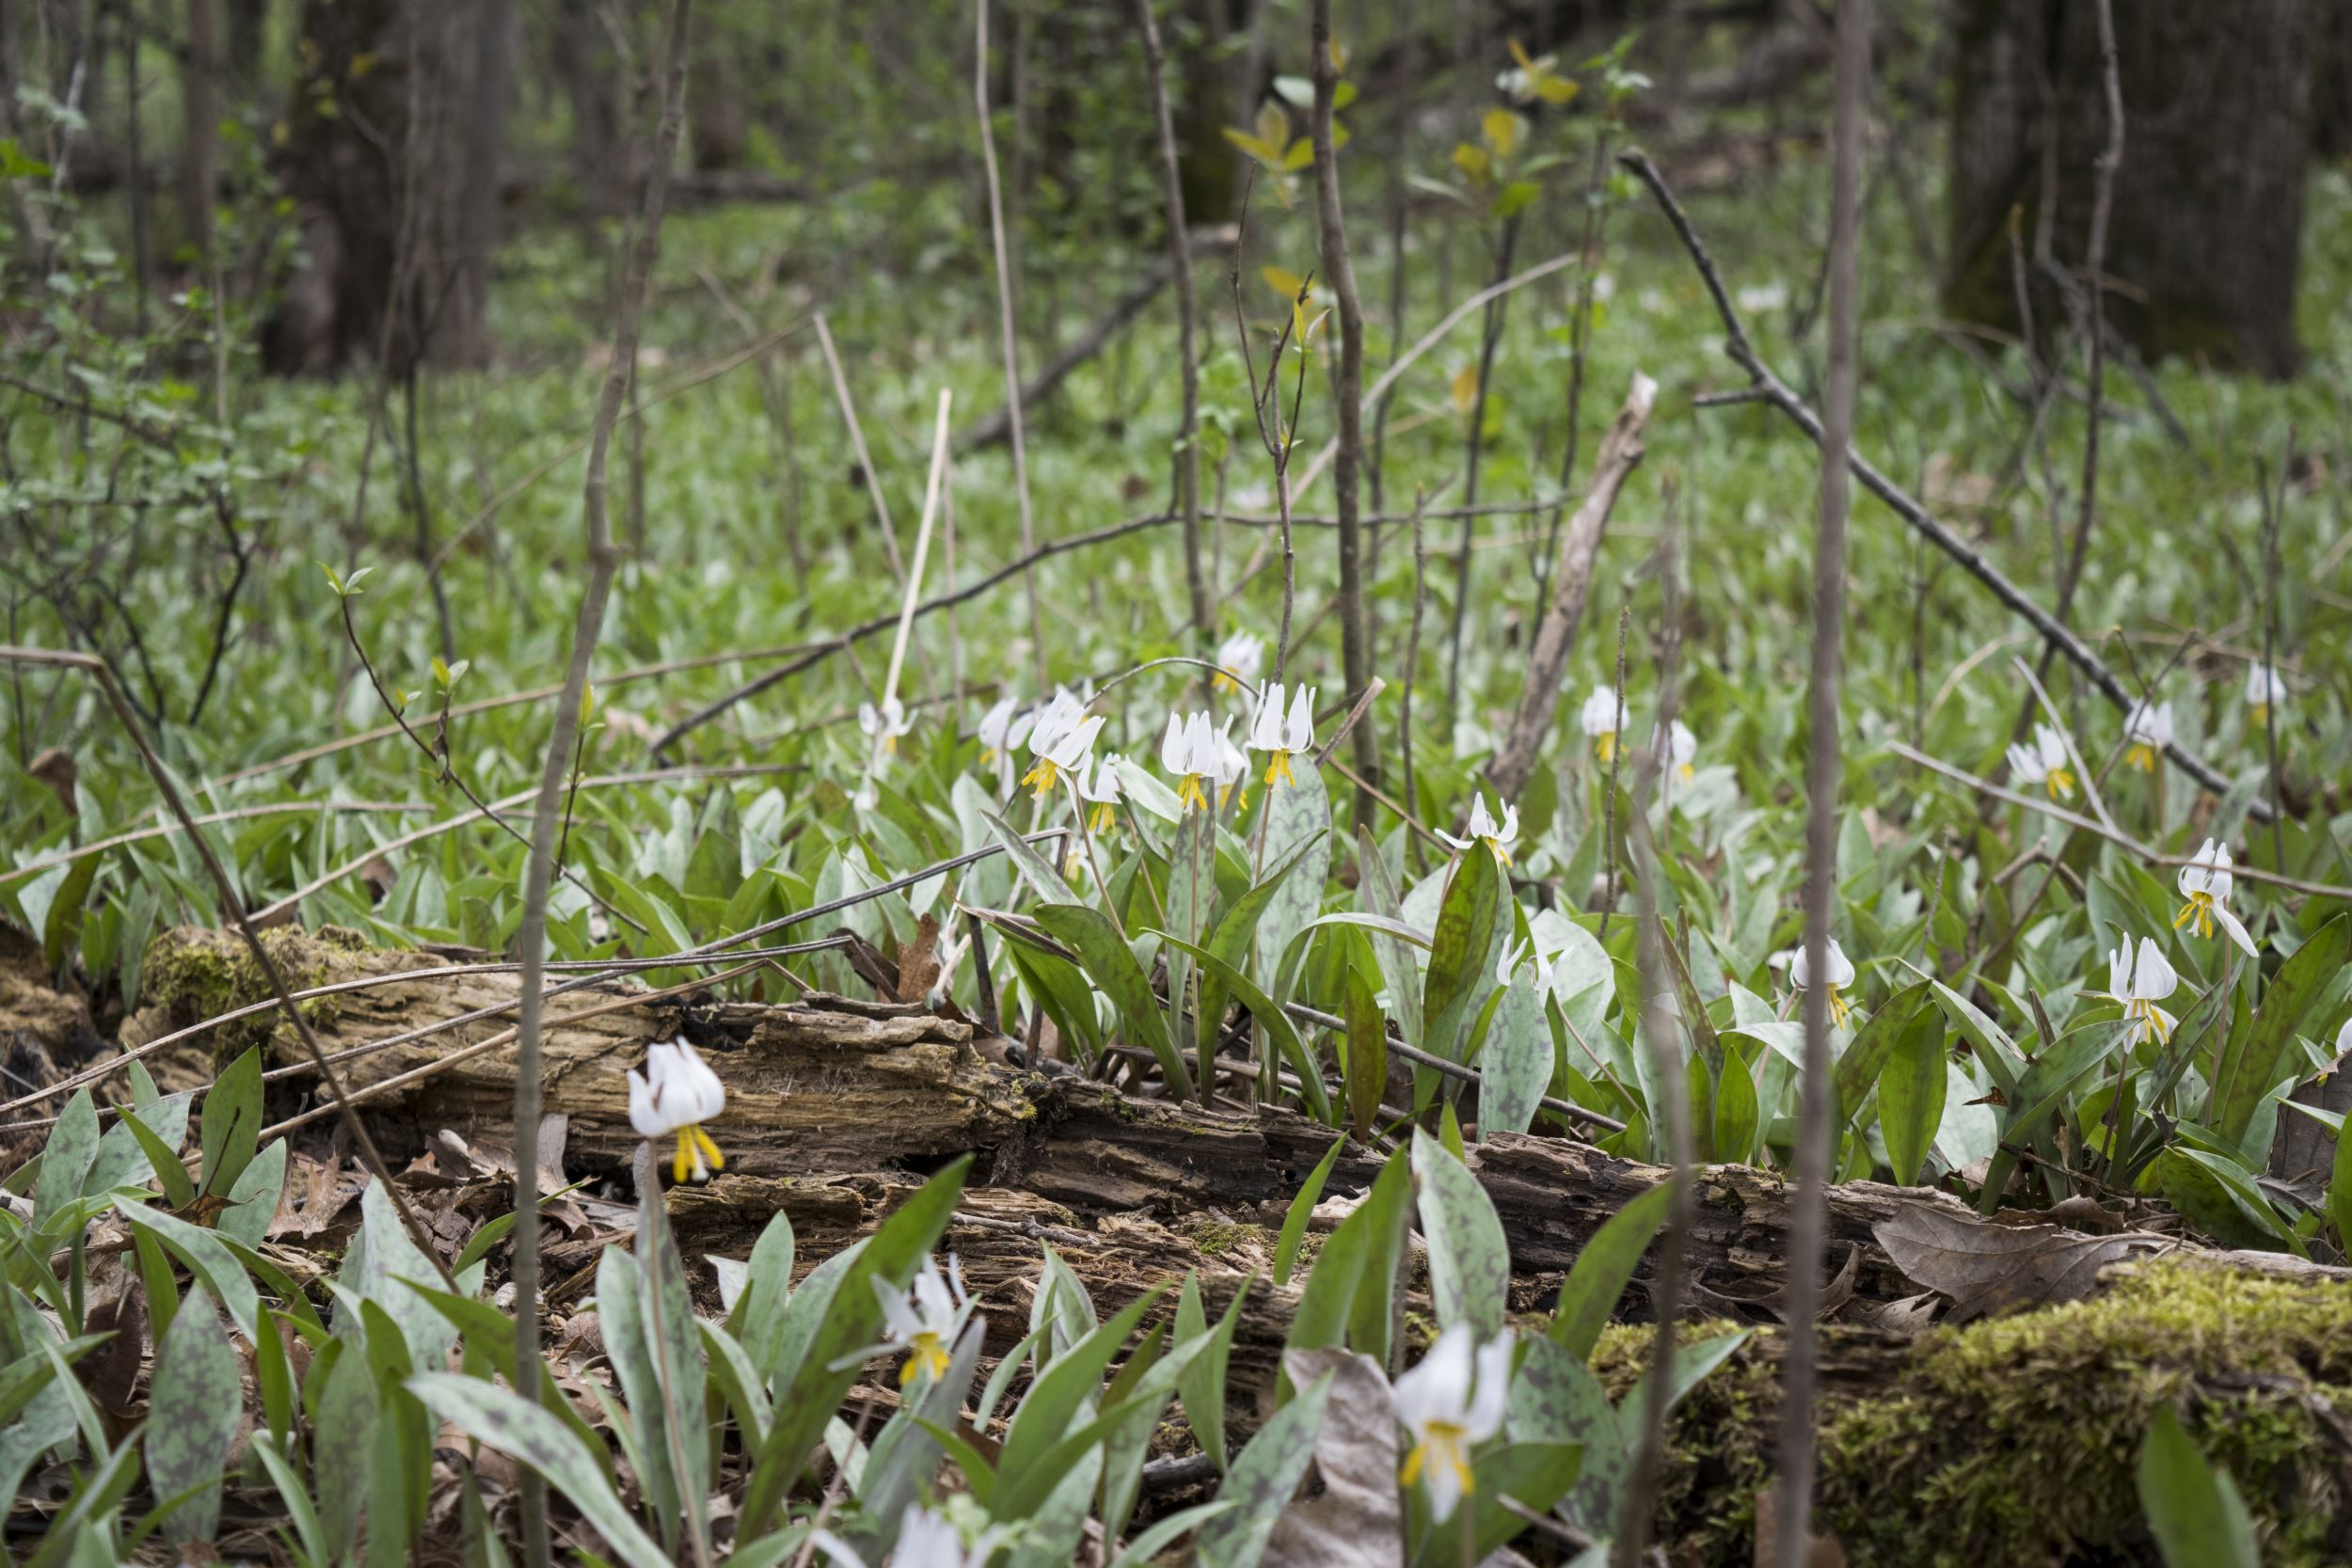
{"x": 2210, "y": 196}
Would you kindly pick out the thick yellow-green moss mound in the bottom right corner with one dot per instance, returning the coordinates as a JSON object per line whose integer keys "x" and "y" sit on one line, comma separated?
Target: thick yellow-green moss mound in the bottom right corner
{"x": 2014, "y": 1440}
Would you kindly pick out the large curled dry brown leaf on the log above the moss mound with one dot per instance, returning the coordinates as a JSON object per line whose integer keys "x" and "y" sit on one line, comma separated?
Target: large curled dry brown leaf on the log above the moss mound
{"x": 1991, "y": 1268}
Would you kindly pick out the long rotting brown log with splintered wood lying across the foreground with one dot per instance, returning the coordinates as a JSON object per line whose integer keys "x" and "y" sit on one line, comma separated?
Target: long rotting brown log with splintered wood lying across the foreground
{"x": 841, "y": 1104}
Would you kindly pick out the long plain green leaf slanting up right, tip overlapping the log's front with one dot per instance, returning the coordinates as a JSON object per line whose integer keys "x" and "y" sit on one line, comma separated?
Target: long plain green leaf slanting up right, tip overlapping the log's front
{"x": 853, "y": 1322}
